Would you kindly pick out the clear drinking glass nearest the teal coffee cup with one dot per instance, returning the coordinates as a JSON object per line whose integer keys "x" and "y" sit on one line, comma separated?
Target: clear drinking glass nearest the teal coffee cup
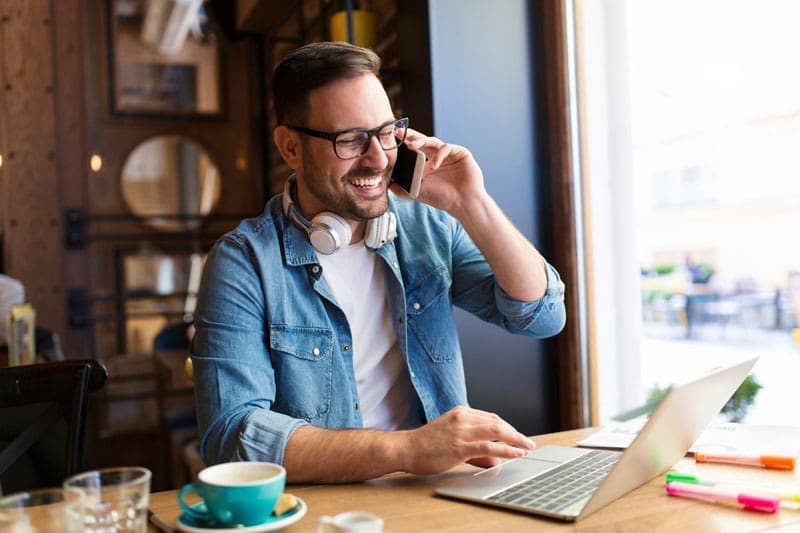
{"x": 115, "y": 499}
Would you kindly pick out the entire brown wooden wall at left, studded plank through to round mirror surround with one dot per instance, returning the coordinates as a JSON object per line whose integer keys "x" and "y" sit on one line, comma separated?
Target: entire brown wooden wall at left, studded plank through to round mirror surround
{"x": 55, "y": 114}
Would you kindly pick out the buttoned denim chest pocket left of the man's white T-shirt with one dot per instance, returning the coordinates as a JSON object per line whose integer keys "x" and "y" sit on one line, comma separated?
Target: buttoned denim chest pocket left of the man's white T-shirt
{"x": 302, "y": 358}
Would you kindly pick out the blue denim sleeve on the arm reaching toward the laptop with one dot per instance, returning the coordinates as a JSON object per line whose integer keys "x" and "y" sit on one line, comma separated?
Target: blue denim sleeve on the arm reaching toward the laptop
{"x": 234, "y": 378}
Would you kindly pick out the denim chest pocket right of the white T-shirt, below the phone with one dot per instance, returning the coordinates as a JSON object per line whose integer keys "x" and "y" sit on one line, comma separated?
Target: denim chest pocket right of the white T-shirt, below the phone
{"x": 430, "y": 316}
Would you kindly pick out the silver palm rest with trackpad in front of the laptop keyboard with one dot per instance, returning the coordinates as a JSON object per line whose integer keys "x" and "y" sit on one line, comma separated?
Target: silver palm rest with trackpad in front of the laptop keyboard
{"x": 495, "y": 479}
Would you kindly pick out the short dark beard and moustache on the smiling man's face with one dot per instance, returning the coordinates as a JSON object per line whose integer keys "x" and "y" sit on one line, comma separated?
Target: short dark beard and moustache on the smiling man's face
{"x": 332, "y": 192}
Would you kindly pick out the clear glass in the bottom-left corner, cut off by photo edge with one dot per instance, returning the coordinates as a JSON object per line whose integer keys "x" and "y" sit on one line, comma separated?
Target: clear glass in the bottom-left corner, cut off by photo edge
{"x": 50, "y": 509}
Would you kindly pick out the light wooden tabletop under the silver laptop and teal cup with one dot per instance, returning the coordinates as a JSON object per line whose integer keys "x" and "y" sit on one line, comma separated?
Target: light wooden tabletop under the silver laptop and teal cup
{"x": 407, "y": 503}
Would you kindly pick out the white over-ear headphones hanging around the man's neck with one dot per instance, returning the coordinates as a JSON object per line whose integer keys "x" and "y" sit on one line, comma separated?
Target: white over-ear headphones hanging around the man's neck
{"x": 328, "y": 232}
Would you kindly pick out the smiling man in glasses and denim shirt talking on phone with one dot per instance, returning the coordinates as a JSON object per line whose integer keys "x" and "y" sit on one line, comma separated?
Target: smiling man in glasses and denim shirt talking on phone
{"x": 345, "y": 366}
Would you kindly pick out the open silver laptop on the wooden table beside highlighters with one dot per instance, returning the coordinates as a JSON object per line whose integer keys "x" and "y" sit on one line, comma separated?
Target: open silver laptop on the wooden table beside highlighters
{"x": 570, "y": 483}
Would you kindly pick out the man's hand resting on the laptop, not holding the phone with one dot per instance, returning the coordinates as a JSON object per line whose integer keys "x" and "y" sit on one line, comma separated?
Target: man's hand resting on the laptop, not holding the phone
{"x": 463, "y": 435}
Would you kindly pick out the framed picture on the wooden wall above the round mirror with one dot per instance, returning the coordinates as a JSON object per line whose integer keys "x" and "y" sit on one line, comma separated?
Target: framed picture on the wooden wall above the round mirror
{"x": 164, "y": 60}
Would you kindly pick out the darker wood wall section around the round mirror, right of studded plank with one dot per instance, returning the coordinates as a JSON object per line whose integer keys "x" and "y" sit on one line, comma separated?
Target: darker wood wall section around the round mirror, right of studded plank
{"x": 234, "y": 138}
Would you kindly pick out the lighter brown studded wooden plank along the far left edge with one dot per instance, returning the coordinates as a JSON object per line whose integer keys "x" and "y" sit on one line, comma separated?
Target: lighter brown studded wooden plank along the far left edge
{"x": 33, "y": 155}
